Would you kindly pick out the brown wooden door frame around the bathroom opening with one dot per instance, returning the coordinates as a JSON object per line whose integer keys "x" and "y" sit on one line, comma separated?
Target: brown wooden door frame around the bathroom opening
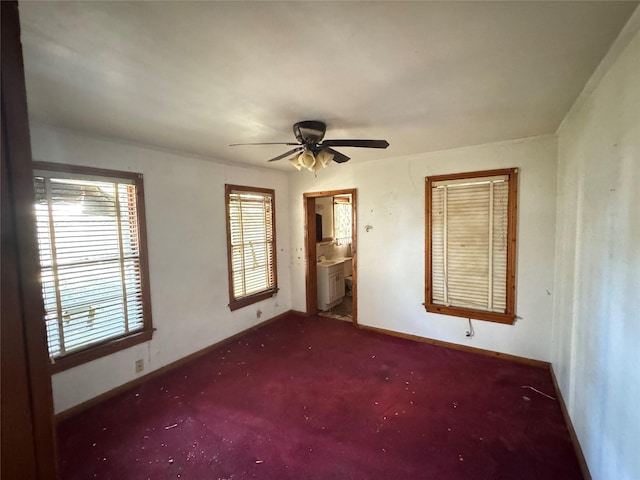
{"x": 311, "y": 275}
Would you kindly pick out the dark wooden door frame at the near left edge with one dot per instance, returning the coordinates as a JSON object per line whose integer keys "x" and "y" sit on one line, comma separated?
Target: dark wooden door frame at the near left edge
{"x": 28, "y": 438}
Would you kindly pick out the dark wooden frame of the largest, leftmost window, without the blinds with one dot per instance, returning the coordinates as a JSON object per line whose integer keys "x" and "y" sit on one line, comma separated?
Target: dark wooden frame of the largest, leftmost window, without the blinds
{"x": 115, "y": 344}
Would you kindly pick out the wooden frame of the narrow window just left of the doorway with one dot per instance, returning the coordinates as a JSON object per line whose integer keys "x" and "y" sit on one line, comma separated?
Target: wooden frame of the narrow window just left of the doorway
{"x": 239, "y": 302}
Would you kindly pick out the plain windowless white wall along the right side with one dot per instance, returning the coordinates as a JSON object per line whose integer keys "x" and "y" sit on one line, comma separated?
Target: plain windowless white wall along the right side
{"x": 596, "y": 333}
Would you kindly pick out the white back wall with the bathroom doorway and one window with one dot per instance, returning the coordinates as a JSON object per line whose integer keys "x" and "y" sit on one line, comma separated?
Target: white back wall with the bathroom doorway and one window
{"x": 390, "y": 258}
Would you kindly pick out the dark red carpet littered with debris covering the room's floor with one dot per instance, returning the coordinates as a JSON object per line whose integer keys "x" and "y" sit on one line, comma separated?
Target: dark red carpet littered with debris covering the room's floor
{"x": 316, "y": 398}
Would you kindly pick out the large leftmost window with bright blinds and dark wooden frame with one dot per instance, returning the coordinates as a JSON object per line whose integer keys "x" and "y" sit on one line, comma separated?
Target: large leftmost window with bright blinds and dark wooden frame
{"x": 92, "y": 246}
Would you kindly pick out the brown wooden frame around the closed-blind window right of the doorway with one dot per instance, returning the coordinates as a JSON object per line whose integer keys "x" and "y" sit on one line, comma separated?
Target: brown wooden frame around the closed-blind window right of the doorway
{"x": 509, "y": 316}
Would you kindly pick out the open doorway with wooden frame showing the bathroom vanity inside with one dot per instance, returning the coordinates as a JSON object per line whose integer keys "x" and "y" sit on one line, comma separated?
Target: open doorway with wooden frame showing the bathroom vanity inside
{"x": 331, "y": 254}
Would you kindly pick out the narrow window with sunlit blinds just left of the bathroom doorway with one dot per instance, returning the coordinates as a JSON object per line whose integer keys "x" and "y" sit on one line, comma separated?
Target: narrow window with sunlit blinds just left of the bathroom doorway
{"x": 251, "y": 244}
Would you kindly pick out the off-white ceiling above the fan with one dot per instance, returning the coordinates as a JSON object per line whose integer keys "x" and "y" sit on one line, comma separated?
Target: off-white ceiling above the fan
{"x": 196, "y": 76}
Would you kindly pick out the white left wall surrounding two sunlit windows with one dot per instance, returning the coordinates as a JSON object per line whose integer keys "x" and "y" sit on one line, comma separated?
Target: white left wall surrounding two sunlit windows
{"x": 186, "y": 233}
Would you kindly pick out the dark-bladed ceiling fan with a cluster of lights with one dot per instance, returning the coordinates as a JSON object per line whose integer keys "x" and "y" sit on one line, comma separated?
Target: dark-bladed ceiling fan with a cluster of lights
{"x": 311, "y": 151}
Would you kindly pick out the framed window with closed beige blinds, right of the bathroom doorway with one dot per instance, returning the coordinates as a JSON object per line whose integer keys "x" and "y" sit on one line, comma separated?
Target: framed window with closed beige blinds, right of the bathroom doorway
{"x": 471, "y": 245}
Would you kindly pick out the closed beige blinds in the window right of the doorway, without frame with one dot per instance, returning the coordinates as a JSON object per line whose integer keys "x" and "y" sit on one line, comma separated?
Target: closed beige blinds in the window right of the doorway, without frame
{"x": 469, "y": 228}
